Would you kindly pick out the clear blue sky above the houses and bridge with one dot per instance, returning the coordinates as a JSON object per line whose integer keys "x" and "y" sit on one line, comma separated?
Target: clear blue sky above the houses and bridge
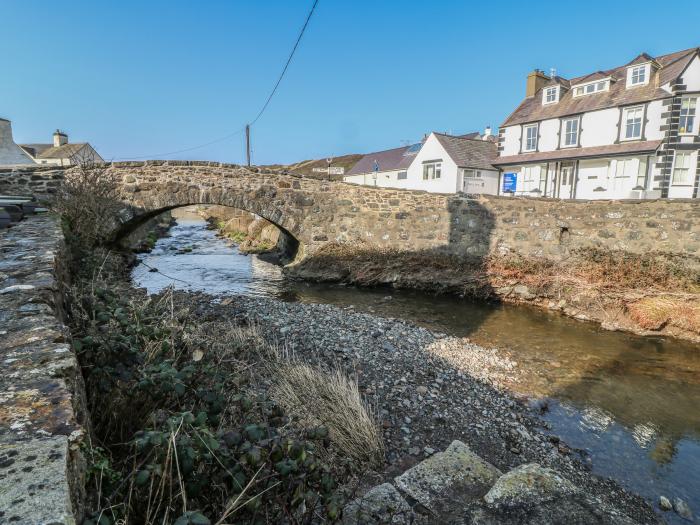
{"x": 146, "y": 77}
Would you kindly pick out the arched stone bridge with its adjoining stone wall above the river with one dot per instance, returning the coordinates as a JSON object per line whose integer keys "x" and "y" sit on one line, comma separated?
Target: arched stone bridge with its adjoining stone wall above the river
{"x": 316, "y": 212}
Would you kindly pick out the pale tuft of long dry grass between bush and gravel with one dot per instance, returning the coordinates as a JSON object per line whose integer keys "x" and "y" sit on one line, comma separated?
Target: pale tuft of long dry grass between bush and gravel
{"x": 333, "y": 400}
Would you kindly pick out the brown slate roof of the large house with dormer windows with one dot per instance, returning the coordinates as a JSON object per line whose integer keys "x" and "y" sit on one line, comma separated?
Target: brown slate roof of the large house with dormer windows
{"x": 670, "y": 67}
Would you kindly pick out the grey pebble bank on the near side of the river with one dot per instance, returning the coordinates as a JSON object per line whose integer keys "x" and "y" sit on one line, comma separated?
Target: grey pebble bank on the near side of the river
{"x": 428, "y": 390}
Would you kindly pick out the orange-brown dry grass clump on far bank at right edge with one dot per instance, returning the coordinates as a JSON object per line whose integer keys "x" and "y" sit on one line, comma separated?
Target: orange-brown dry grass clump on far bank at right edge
{"x": 653, "y": 313}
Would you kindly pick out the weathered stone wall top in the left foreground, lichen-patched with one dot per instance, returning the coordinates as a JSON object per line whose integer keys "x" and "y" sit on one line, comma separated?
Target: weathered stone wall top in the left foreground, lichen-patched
{"x": 42, "y": 397}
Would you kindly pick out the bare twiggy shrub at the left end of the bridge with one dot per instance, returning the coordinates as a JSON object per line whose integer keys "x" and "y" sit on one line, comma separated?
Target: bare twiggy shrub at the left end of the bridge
{"x": 89, "y": 200}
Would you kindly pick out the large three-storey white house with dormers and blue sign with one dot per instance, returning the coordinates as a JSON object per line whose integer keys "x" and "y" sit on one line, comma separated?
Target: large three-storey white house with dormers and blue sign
{"x": 628, "y": 132}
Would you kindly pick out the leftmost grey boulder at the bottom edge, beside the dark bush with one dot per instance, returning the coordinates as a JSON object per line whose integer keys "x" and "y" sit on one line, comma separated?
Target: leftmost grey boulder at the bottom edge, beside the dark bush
{"x": 382, "y": 504}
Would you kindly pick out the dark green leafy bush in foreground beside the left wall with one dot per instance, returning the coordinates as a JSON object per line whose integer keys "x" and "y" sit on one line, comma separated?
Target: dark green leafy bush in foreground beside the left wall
{"x": 180, "y": 430}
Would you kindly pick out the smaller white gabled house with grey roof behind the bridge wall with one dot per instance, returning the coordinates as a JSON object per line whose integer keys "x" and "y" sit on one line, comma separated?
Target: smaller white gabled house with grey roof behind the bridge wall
{"x": 441, "y": 163}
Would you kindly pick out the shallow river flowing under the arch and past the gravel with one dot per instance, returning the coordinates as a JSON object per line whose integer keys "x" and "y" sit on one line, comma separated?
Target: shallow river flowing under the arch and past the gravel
{"x": 631, "y": 404}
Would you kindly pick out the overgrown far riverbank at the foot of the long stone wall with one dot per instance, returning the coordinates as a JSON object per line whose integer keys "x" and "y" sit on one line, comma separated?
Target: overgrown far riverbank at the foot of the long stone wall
{"x": 651, "y": 294}
